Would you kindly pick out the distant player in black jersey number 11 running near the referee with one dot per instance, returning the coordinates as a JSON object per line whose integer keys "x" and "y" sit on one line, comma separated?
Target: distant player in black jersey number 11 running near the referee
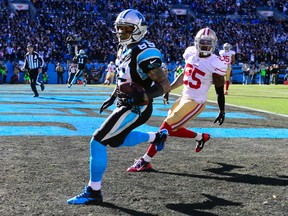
{"x": 80, "y": 59}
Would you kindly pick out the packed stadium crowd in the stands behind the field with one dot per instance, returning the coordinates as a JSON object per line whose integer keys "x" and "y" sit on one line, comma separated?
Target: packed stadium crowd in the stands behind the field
{"x": 253, "y": 39}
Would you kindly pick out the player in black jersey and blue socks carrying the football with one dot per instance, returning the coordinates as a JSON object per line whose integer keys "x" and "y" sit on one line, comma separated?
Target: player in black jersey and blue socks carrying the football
{"x": 138, "y": 61}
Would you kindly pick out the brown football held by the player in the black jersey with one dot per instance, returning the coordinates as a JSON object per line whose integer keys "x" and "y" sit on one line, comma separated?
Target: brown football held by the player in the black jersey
{"x": 136, "y": 91}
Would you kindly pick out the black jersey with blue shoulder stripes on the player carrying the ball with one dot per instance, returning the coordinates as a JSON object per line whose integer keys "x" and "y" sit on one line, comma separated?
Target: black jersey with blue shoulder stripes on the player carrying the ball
{"x": 135, "y": 63}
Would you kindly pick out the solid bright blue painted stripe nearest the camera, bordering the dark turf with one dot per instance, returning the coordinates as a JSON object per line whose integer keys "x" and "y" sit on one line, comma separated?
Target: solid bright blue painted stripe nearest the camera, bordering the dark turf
{"x": 87, "y": 130}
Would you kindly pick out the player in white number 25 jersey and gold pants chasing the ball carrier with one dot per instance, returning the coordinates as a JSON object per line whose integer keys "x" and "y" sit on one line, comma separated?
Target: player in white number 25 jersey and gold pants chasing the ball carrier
{"x": 201, "y": 70}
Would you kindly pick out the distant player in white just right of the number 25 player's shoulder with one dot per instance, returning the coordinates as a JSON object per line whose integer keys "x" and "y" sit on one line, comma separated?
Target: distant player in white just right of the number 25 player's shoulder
{"x": 229, "y": 57}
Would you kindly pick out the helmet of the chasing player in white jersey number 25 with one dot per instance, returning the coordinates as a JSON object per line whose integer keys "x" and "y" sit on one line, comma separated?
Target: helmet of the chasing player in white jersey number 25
{"x": 206, "y": 41}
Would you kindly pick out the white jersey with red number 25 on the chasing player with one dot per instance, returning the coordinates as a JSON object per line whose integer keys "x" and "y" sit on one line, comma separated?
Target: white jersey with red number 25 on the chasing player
{"x": 198, "y": 74}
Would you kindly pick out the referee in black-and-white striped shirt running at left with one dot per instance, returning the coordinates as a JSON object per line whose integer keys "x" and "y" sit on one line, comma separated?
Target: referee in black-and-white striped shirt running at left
{"x": 33, "y": 63}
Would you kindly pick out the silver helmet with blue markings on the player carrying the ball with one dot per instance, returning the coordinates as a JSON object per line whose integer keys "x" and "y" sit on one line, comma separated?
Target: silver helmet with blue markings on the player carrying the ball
{"x": 132, "y": 18}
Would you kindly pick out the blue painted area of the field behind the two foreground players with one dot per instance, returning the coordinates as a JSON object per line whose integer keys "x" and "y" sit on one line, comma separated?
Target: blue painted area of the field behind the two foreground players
{"x": 72, "y": 108}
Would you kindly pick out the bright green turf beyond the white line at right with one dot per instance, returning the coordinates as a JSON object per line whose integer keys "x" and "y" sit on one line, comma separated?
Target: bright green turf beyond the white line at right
{"x": 272, "y": 98}
